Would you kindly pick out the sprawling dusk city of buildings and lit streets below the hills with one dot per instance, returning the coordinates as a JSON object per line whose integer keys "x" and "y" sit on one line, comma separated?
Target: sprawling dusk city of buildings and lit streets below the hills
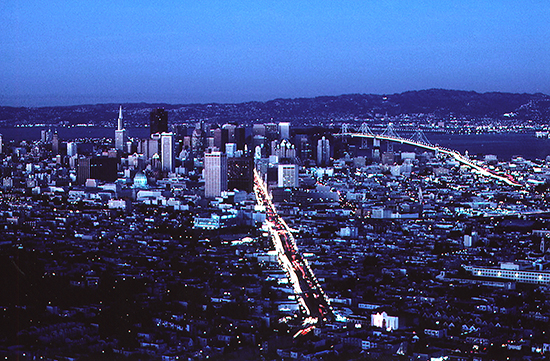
{"x": 228, "y": 241}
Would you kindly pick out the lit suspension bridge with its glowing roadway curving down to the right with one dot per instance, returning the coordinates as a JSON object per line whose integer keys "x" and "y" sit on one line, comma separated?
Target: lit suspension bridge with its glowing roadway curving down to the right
{"x": 420, "y": 140}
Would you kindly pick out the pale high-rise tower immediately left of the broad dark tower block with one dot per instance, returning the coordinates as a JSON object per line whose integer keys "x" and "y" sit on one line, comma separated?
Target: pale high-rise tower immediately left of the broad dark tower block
{"x": 215, "y": 174}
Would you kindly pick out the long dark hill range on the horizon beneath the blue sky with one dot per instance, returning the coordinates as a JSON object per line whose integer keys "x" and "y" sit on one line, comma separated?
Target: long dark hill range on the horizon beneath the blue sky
{"x": 439, "y": 102}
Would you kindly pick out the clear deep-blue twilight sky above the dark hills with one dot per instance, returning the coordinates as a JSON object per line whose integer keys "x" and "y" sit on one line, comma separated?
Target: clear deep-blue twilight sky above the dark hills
{"x": 80, "y": 52}
